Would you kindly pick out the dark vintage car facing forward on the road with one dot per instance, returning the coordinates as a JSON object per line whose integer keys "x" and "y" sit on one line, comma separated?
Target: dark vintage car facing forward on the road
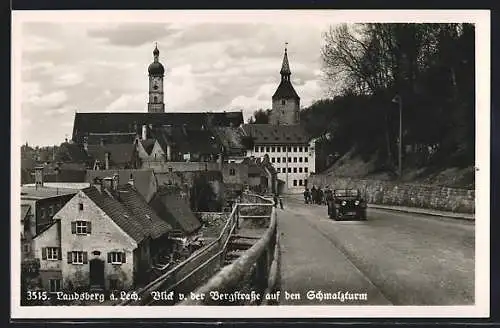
{"x": 346, "y": 203}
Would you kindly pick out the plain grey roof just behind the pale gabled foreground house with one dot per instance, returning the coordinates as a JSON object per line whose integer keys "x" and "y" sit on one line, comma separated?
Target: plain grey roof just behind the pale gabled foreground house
{"x": 144, "y": 179}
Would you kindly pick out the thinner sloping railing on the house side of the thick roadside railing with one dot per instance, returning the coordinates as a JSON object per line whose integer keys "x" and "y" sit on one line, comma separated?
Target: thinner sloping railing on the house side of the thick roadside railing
{"x": 196, "y": 269}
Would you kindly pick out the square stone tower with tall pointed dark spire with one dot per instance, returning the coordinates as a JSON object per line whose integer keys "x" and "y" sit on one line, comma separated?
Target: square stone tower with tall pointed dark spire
{"x": 286, "y": 102}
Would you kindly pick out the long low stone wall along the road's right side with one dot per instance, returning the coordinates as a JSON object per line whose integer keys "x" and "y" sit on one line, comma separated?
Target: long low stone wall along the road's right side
{"x": 404, "y": 194}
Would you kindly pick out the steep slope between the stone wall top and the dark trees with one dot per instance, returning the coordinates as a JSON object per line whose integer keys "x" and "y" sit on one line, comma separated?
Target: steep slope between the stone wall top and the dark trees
{"x": 354, "y": 166}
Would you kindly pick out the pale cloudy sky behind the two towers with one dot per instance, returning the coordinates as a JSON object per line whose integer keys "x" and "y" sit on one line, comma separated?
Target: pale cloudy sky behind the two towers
{"x": 210, "y": 66}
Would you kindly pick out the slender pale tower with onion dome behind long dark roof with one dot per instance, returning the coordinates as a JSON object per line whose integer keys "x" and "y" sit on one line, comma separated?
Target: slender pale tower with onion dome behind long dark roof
{"x": 156, "y": 72}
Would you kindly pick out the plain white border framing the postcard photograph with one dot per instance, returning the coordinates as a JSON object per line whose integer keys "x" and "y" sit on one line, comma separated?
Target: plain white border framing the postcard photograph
{"x": 482, "y": 274}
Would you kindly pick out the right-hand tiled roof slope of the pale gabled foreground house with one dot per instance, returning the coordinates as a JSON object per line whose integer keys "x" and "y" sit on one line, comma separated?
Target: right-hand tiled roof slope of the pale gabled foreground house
{"x": 139, "y": 223}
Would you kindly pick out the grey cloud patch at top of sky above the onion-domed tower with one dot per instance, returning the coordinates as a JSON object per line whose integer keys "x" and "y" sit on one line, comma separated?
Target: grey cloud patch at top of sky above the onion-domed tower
{"x": 130, "y": 35}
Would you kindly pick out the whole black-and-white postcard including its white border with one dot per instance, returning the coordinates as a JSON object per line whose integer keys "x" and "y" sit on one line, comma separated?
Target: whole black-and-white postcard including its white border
{"x": 236, "y": 164}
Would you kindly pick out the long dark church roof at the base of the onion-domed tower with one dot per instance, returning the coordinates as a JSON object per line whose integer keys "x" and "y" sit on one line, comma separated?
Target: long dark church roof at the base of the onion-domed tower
{"x": 86, "y": 123}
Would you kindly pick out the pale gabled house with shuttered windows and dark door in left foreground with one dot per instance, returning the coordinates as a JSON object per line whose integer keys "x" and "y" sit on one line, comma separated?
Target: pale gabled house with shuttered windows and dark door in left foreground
{"x": 105, "y": 238}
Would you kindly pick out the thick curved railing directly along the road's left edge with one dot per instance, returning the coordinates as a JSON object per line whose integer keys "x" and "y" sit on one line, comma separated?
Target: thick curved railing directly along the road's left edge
{"x": 247, "y": 281}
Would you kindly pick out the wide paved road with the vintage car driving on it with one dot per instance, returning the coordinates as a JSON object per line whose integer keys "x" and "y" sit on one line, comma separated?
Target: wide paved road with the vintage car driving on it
{"x": 395, "y": 258}
